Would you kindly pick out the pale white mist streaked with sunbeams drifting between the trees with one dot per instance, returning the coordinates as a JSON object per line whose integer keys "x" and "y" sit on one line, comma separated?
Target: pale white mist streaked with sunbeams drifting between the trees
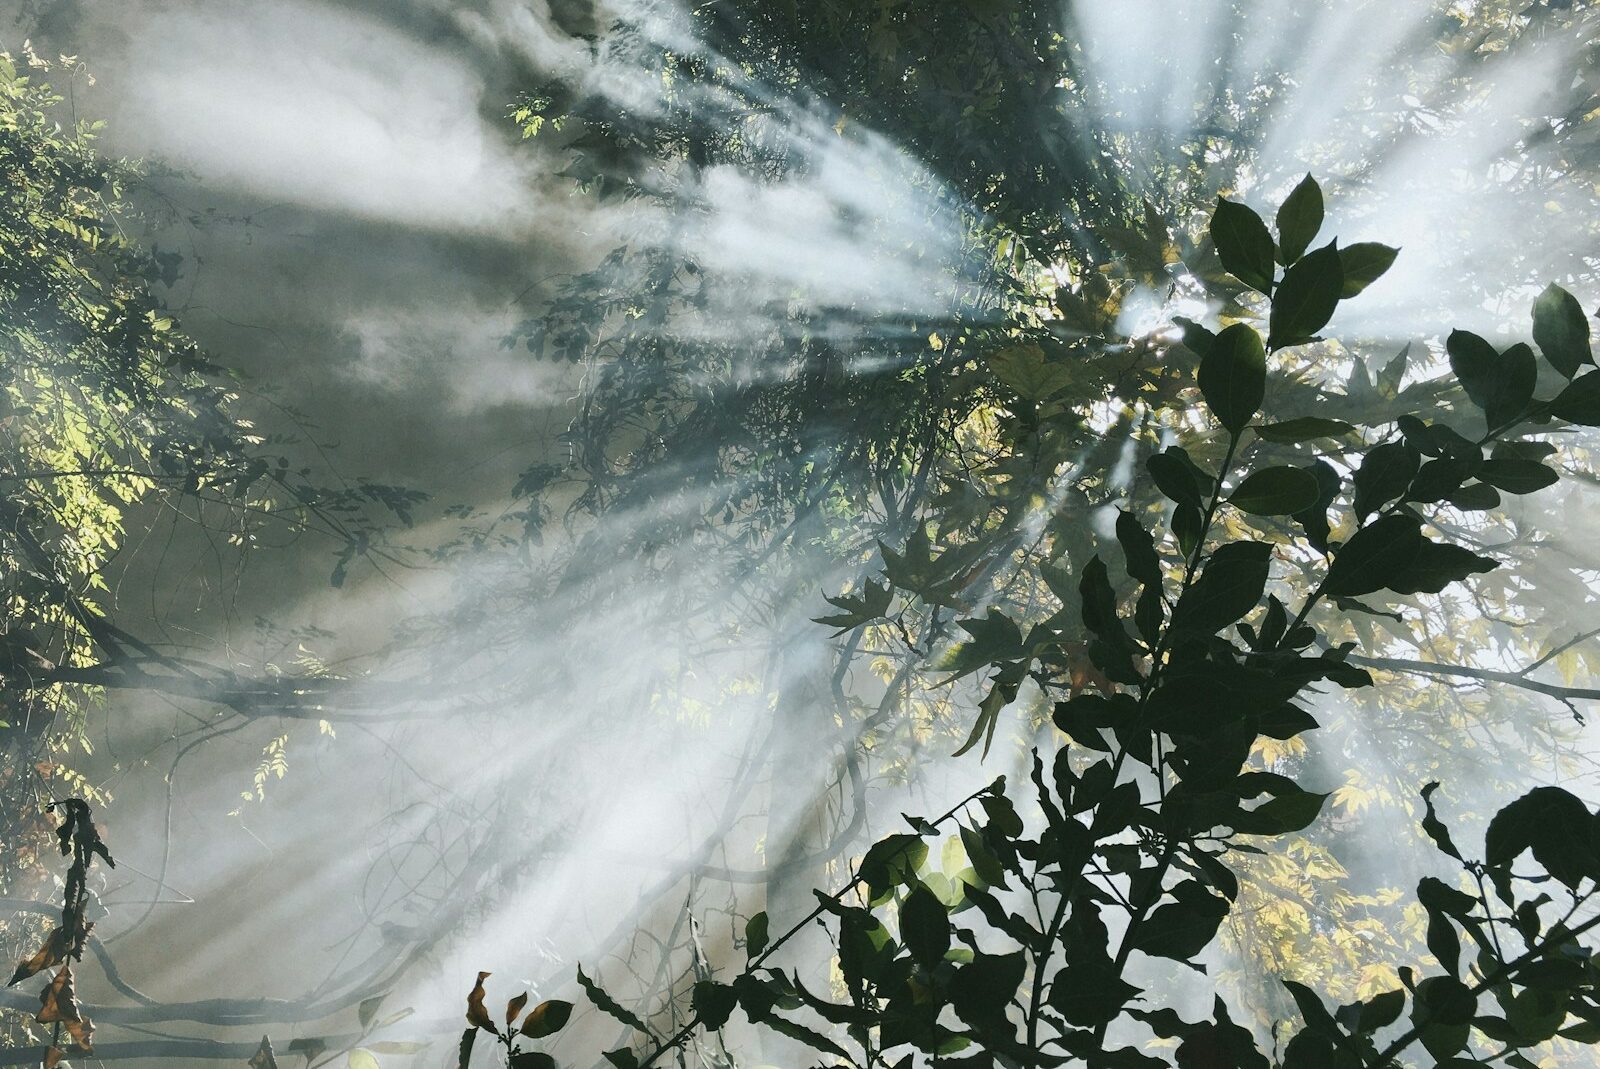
{"x": 588, "y": 771}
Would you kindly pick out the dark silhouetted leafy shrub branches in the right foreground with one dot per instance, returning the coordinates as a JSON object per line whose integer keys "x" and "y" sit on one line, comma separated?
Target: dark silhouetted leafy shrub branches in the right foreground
{"x": 1137, "y": 825}
